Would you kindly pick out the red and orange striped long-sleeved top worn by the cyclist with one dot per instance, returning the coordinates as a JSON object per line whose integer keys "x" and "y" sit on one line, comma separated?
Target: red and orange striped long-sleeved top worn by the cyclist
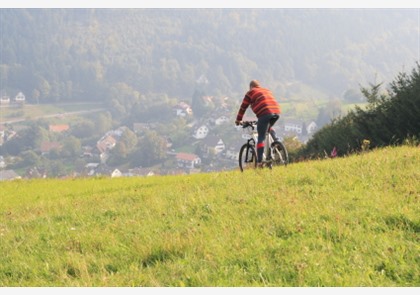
{"x": 262, "y": 103}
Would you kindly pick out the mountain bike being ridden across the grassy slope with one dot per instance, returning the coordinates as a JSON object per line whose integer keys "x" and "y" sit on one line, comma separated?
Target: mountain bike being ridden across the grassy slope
{"x": 275, "y": 152}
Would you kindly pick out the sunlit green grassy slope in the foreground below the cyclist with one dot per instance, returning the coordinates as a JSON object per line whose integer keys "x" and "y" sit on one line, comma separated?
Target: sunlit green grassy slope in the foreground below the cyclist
{"x": 338, "y": 222}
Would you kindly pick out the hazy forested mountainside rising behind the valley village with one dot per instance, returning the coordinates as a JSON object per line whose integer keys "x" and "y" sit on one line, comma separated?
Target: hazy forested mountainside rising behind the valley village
{"x": 89, "y": 54}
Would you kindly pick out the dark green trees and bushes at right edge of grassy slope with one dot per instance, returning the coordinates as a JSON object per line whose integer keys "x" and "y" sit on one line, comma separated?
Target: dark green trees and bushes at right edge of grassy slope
{"x": 391, "y": 118}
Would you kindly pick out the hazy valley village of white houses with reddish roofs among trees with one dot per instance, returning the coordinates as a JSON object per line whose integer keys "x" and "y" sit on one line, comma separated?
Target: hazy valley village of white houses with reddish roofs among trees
{"x": 212, "y": 144}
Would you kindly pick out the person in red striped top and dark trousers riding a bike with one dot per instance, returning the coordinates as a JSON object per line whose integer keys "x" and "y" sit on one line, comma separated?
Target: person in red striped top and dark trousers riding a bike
{"x": 265, "y": 107}
